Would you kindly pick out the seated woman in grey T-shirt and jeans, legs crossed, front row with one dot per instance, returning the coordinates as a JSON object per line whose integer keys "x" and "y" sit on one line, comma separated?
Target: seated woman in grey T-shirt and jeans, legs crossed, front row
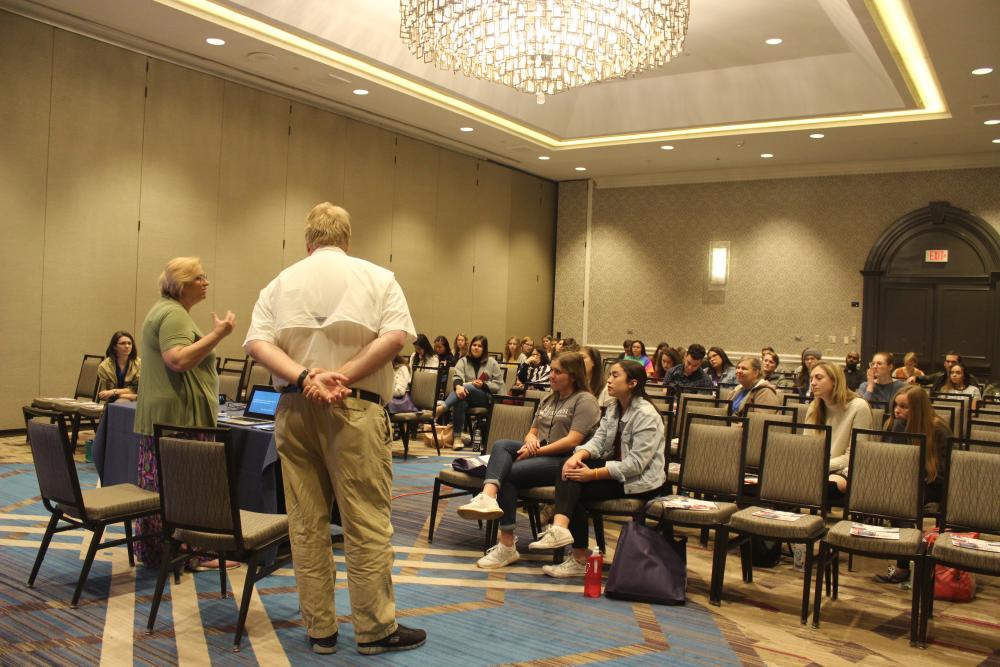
{"x": 564, "y": 420}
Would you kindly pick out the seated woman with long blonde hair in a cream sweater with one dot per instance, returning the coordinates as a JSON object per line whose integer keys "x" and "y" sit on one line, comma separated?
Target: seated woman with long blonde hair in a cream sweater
{"x": 838, "y": 407}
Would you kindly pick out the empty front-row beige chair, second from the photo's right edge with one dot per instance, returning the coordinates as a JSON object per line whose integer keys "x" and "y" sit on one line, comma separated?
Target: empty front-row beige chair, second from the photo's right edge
{"x": 886, "y": 484}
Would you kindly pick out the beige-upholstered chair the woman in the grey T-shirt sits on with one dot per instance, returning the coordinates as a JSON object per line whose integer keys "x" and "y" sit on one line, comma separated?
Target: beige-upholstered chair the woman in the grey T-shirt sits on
{"x": 510, "y": 419}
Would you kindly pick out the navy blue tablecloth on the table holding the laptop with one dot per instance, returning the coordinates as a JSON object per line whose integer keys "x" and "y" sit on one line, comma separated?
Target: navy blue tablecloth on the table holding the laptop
{"x": 116, "y": 449}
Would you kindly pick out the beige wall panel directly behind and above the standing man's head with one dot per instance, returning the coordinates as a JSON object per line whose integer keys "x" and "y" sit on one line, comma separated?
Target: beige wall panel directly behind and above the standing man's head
{"x": 316, "y": 160}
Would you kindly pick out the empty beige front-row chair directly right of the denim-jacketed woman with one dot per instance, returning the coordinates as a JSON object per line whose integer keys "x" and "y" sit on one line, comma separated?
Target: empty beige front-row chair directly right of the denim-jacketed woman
{"x": 712, "y": 464}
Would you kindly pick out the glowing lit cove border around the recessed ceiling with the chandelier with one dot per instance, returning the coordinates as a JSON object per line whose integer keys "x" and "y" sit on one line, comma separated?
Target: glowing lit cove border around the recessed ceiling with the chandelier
{"x": 893, "y": 17}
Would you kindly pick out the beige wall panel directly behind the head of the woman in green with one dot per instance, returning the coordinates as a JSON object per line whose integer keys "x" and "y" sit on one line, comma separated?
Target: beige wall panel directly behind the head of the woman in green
{"x": 180, "y": 179}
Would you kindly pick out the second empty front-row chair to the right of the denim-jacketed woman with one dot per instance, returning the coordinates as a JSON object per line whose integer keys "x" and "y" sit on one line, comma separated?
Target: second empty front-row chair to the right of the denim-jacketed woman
{"x": 795, "y": 460}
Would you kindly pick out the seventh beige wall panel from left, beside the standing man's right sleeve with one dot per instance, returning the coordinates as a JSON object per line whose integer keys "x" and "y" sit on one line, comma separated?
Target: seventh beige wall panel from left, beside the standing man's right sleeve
{"x": 415, "y": 195}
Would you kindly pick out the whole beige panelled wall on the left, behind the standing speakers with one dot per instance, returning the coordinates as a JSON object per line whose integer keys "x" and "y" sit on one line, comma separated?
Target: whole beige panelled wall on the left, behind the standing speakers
{"x": 111, "y": 163}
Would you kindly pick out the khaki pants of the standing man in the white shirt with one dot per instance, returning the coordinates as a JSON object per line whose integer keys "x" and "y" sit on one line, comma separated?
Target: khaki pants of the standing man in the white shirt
{"x": 341, "y": 450}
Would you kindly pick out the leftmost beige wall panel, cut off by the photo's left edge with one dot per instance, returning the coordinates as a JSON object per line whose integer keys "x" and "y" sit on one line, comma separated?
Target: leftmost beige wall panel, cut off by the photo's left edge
{"x": 25, "y": 79}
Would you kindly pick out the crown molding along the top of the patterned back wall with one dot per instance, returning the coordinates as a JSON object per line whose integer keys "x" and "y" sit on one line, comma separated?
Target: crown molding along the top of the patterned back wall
{"x": 942, "y": 163}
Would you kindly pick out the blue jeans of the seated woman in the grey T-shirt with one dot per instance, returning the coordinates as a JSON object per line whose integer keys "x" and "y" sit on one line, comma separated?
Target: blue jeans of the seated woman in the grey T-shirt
{"x": 511, "y": 475}
